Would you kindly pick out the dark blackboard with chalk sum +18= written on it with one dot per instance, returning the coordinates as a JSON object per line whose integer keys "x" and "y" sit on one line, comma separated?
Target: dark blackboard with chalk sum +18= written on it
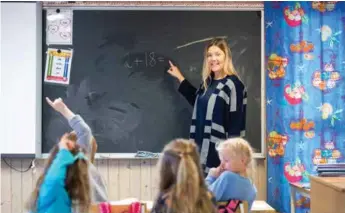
{"x": 119, "y": 83}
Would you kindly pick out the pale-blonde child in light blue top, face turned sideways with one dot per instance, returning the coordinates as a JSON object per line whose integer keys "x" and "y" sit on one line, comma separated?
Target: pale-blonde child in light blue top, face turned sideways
{"x": 233, "y": 178}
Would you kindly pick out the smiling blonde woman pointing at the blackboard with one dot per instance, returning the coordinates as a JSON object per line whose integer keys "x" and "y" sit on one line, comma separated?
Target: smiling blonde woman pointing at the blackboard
{"x": 219, "y": 103}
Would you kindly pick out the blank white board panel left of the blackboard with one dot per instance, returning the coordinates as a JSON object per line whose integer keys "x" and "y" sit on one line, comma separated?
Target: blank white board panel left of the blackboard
{"x": 21, "y": 67}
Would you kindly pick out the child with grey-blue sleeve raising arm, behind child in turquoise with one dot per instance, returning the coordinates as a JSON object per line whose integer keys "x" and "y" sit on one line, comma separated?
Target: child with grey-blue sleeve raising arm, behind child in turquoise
{"x": 89, "y": 145}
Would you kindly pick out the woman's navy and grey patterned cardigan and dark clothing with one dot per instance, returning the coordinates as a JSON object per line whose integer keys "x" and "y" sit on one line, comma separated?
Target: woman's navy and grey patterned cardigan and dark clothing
{"x": 218, "y": 114}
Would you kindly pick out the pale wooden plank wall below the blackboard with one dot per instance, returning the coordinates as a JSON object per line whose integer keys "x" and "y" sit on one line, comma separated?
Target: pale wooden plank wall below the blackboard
{"x": 124, "y": 178}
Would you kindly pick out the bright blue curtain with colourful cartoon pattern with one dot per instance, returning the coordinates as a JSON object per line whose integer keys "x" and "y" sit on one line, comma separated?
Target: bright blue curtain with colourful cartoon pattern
{"x": 305, "y": 91}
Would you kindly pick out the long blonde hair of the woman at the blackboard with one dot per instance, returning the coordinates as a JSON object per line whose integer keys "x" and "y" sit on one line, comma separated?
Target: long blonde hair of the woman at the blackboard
{"x": 229, "y": 68}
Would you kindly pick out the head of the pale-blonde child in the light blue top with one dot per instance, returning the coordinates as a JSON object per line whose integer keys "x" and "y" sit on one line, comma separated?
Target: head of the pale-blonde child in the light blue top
{"x": 236, "y": 155}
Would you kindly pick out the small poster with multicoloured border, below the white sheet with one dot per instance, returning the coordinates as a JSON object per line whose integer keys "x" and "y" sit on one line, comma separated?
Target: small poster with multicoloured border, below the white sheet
{"x": 58, "y": 66}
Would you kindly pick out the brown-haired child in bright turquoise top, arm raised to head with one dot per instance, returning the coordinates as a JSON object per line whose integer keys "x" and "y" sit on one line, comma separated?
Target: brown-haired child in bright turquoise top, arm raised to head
{"x": 64, "y": 184}
